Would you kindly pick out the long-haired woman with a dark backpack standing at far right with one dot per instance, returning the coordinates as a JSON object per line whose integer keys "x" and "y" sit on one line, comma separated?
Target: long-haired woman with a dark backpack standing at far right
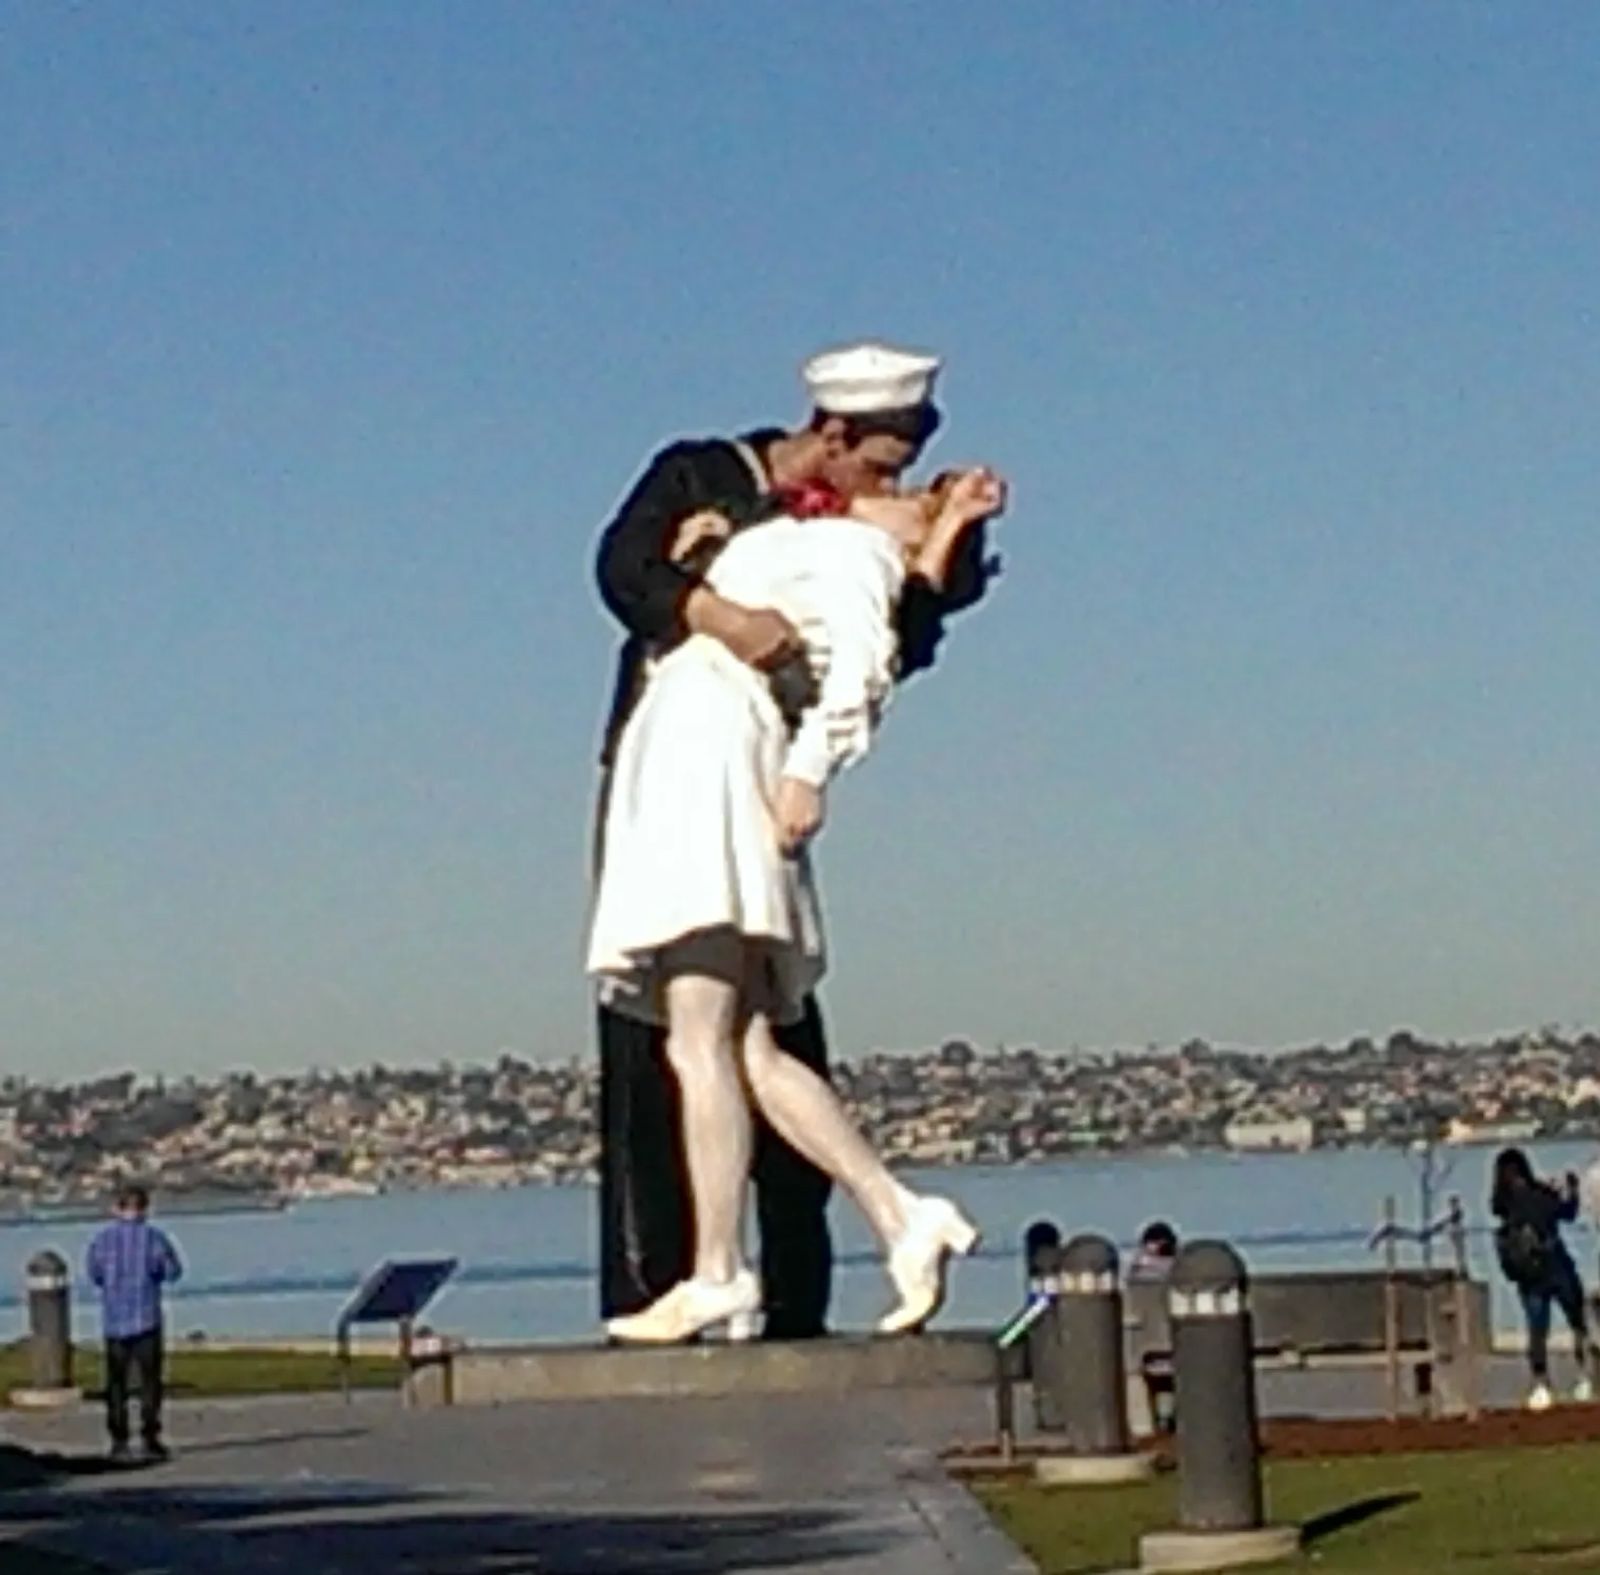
{"x": 1535, "y": 1259}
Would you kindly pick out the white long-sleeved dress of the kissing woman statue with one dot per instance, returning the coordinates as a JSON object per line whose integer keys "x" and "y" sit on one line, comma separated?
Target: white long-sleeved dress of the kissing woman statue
{"x": 690, "y": 844}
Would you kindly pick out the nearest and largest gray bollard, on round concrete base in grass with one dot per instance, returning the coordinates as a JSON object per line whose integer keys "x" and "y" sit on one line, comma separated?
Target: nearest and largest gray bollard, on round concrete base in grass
{"x": 1220, "y": 1512}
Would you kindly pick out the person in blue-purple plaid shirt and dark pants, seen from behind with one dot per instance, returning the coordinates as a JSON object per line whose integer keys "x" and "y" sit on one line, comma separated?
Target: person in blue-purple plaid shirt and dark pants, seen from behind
{"x": 130, "y": 1260}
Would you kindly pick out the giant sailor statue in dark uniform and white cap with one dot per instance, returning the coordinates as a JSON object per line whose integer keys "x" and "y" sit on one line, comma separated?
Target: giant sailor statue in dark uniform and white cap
{"x": 873, "y": 415}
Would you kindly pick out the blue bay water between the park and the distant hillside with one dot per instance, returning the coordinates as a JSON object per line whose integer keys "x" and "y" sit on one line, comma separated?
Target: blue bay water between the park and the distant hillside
{"x": 527, "y": 1256}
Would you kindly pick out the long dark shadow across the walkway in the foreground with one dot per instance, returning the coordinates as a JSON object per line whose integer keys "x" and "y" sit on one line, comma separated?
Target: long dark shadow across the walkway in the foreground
{"x": 366, "y": 1528}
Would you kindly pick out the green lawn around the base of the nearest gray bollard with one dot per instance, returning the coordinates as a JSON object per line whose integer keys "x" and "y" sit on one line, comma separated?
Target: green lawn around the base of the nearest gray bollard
{"x": 1518, "y": 1512}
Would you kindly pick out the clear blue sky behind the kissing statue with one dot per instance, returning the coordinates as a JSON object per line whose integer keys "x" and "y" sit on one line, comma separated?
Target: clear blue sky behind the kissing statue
{"x": 332, "y": 334}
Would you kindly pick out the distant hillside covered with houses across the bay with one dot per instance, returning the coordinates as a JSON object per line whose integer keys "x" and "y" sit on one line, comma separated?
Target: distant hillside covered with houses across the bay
{"x": 260, "y": 1142}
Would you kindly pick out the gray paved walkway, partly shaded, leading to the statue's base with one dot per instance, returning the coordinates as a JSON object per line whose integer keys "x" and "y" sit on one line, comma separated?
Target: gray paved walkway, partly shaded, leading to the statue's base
{"x": 681, "y": 1488}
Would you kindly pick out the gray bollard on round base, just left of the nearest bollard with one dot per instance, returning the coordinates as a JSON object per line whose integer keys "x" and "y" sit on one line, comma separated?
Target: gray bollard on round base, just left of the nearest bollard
{"x": 1094, "y": 1384}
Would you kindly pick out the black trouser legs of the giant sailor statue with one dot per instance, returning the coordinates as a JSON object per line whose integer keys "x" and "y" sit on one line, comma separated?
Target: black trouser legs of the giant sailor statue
{"x": 647, "y": 1233}
